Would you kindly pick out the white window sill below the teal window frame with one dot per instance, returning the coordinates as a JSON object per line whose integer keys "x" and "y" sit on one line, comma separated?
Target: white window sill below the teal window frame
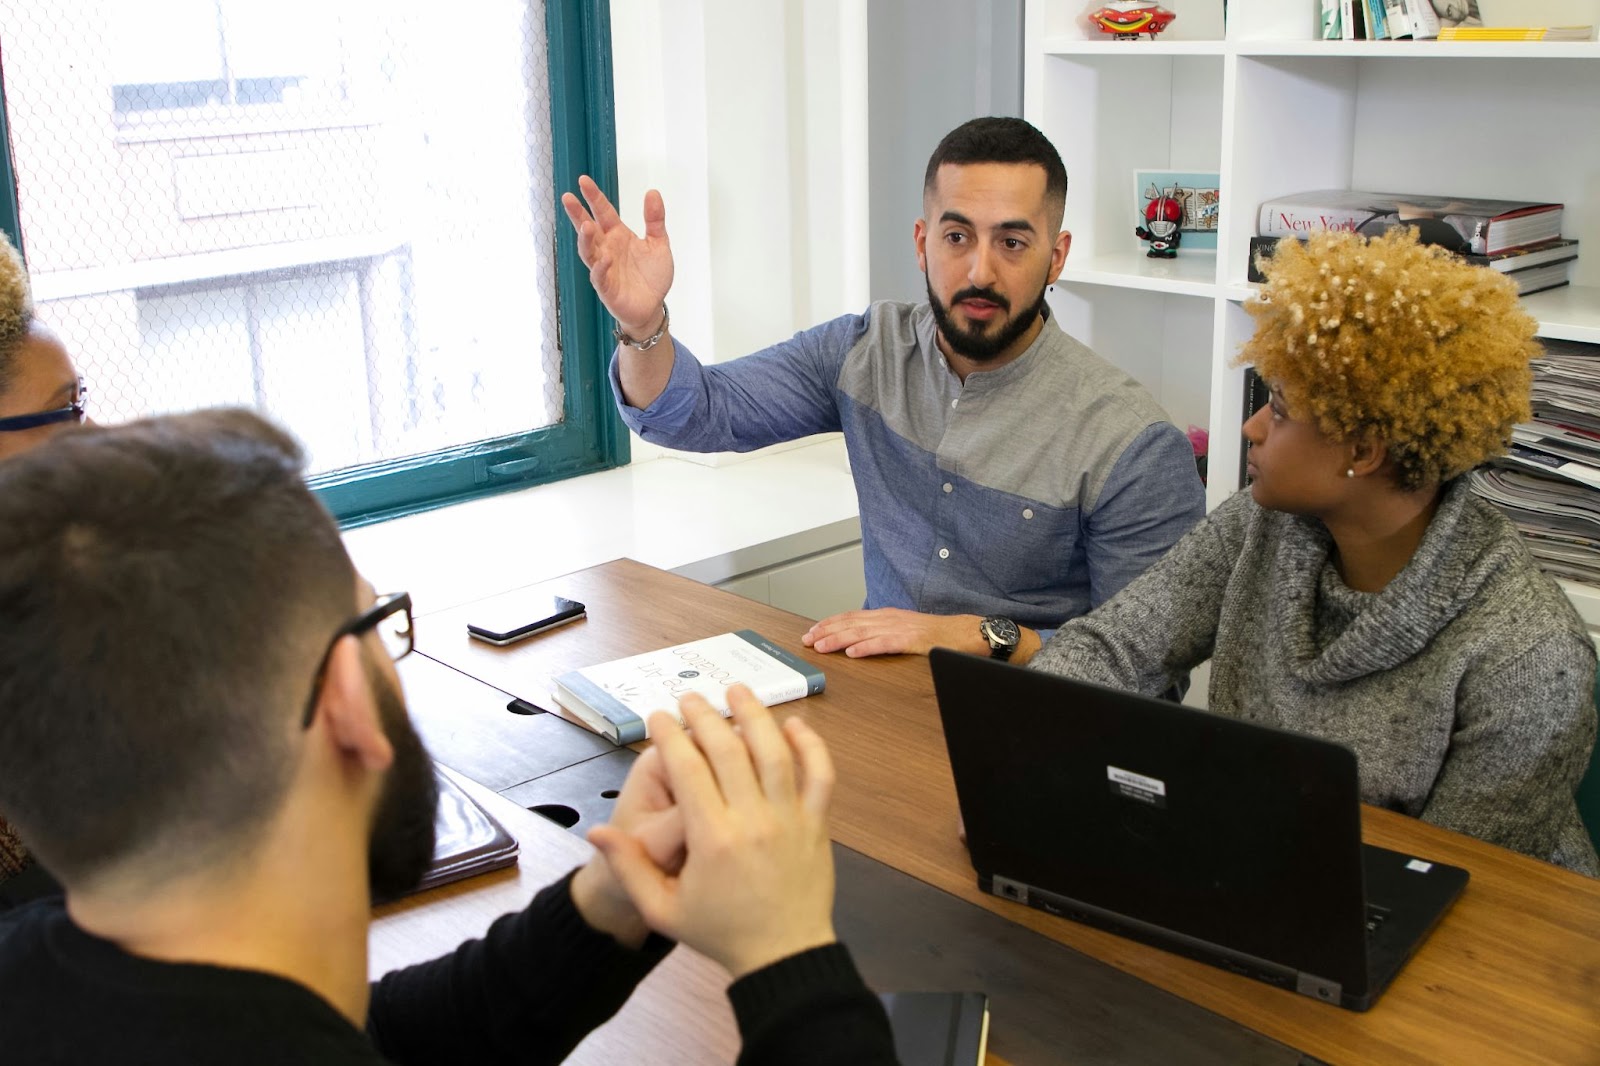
{"x": 706, "y": 523}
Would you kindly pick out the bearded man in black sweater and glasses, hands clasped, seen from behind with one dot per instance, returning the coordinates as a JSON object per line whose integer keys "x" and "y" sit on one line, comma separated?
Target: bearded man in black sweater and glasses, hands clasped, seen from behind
{"x": 204, "y": 735}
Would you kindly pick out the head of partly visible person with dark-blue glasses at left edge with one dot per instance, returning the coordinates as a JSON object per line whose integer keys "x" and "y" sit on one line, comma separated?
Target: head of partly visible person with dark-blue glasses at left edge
{"x": 41, "y": 391}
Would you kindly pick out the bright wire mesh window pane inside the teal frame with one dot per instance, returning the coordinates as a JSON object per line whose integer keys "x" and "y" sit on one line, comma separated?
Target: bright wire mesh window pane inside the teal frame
{"x": 337, "y": 212}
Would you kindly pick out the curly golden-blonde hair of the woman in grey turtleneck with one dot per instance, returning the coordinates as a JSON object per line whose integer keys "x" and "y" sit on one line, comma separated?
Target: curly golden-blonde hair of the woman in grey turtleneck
{"x": 1385, "y": 339}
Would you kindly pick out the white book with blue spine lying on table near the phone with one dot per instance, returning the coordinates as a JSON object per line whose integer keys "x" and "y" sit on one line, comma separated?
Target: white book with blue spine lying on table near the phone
{"x": 617, "y": 699}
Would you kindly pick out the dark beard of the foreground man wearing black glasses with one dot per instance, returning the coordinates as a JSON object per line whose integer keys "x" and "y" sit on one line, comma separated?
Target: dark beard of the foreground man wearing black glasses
{"x": 401, "y": 848}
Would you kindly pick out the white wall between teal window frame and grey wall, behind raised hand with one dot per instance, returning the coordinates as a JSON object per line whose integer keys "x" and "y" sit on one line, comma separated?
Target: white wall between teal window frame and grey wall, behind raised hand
{"x": 751, "y": 119}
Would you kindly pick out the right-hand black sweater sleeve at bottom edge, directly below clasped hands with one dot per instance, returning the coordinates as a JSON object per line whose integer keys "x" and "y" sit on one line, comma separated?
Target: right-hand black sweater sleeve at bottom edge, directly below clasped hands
{"x": 812, "y": 1009}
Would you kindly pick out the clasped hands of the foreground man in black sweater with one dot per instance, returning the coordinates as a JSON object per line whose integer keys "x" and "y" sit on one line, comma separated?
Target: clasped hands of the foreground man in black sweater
{"x": 719, "y": 840}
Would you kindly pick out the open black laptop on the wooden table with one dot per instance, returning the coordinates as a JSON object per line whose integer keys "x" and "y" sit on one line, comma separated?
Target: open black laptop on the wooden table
{"x": 1218, "y": 840}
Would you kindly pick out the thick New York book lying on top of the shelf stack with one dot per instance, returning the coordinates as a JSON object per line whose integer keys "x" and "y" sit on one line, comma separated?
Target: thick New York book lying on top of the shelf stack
{"x": 1465, "y": 225}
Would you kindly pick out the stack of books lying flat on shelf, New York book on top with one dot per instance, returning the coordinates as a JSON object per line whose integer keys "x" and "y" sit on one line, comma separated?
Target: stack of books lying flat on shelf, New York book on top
{"x": 1521, "y": 239}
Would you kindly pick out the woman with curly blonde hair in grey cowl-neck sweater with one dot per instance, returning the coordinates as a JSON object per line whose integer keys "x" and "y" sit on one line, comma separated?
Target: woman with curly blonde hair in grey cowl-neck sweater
{"x": 1358, "y": 590}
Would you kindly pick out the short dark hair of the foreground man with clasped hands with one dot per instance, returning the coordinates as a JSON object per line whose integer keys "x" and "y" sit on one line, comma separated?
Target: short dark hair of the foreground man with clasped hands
{"x": 167, "y": 590}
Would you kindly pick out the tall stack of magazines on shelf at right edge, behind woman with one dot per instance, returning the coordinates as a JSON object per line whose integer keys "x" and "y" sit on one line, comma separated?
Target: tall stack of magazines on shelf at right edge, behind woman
{"x": 1550, "y": 484}
